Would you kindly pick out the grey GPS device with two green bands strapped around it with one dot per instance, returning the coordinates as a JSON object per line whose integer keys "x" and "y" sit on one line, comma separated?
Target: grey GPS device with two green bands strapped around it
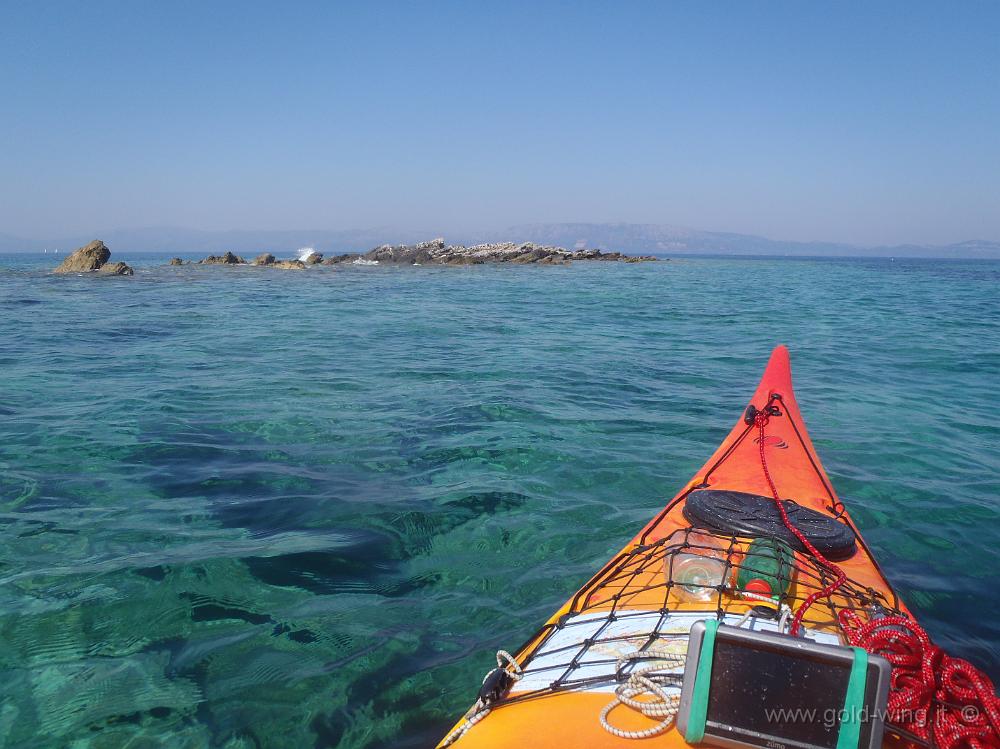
{"x": 745, "y": 688}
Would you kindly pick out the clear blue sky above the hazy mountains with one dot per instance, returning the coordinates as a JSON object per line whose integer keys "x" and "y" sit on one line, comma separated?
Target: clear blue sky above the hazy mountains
{"x": 866, "y": 122}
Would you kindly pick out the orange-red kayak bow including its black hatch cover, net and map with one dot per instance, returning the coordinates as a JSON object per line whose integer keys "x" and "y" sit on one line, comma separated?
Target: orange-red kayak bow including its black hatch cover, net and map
{"x": 556, "y": 689}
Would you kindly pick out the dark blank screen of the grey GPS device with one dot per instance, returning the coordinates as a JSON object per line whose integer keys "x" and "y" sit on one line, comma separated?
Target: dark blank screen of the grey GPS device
{"x": 798, "y": 697}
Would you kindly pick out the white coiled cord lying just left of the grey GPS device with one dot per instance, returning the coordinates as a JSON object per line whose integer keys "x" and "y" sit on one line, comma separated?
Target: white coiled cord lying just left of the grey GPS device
{"x": 651, "y": 680}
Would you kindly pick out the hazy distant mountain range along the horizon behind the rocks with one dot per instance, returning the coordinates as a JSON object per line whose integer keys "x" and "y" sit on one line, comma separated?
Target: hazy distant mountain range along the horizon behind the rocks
{"x": 657, "y": 239}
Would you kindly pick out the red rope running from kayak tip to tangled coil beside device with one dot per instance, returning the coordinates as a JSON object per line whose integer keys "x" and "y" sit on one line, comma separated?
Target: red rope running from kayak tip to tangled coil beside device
{"x": 933, "y": 696}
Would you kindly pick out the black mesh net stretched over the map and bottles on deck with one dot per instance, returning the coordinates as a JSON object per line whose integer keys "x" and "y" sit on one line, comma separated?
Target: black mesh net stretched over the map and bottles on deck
{"x": 649, "y": 596}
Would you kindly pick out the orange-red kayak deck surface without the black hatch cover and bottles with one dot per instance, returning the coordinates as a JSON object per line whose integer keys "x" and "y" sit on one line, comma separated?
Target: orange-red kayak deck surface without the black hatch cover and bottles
{"x": 570, "y": 664}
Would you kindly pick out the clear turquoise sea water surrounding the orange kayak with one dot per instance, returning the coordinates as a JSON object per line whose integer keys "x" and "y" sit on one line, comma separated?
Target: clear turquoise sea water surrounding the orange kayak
{"x": 249, "y": 508}
